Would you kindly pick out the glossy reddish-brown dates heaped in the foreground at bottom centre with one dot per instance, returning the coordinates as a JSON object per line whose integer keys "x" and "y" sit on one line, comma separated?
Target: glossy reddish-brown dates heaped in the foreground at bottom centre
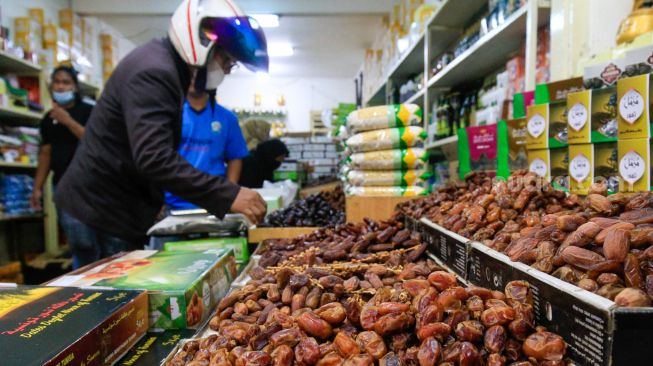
{"x": 426, "y": 319}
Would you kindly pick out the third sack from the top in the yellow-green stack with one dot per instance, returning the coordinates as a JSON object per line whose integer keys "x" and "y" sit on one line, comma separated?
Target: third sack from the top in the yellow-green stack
{"x": 398, "y": 159}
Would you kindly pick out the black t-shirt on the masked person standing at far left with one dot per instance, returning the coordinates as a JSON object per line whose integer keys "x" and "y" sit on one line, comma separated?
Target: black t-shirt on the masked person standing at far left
{"x": 63, "y": 142}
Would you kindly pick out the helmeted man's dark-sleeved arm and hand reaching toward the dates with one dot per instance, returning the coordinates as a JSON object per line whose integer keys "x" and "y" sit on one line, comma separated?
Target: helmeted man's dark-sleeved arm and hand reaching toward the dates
{"x": 150, "y": 120}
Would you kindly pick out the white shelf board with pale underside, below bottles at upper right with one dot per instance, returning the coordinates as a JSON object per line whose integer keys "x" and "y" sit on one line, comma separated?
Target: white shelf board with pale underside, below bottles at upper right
{"x": 489, "y": 53}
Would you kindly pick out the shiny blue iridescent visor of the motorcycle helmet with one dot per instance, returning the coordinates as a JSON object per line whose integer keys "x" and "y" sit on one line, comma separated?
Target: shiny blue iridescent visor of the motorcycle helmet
{"x": 241, "y": 37}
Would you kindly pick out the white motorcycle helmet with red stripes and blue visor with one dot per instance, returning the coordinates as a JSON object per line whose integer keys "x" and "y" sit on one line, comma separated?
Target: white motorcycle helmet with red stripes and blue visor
{"x": 199, "y": 26}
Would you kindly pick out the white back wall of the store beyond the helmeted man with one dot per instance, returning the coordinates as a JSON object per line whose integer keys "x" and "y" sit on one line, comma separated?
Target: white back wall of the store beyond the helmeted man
{"x": 302, "y": 95}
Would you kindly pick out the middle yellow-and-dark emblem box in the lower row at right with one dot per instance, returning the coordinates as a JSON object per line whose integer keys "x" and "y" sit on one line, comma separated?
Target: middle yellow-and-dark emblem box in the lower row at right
{"x": 590, "y": 163}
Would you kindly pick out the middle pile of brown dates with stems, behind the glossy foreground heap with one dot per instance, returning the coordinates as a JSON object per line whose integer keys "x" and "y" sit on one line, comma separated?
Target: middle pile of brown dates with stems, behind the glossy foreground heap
{"x": 365, "y": 241}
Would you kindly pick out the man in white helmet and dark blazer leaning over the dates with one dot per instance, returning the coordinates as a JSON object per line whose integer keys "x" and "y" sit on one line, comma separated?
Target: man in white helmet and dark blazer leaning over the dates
{"x": 128, "y": 156}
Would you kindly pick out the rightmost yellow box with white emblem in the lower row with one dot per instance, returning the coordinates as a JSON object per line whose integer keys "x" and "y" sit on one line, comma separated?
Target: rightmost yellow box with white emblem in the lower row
{"x": 635, "y": 165}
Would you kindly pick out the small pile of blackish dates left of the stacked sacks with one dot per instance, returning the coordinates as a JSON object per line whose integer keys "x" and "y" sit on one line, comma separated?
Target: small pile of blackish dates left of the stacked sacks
{"x": 320, "y": 209}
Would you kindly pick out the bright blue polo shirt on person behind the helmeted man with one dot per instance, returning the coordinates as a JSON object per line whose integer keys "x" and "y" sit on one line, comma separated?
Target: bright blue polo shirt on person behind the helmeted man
{"x": 209, "y": 138}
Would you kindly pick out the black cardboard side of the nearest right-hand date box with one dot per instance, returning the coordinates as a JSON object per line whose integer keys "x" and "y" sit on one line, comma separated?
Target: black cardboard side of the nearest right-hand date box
{"x": 597, "y": 332}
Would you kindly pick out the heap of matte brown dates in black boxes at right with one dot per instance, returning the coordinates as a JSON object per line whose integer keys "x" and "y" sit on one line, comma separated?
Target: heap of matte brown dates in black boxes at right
{"x": 601, "y": 244}
